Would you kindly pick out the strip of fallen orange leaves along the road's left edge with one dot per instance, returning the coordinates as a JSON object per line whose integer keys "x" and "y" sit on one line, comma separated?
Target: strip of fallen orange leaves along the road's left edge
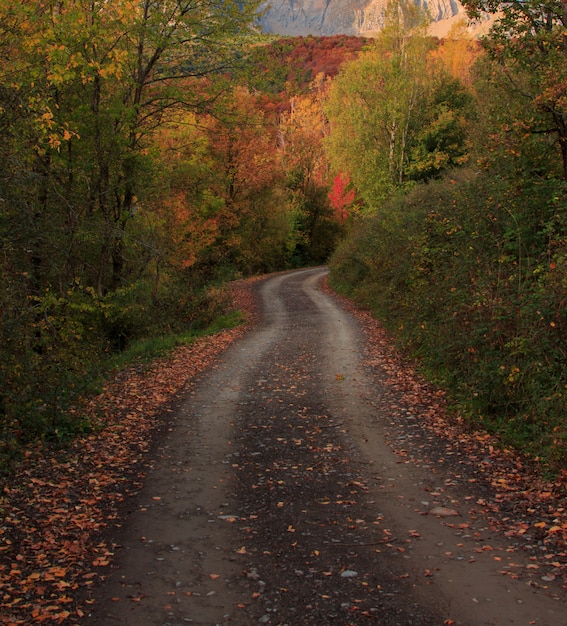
{"x": 57, "y": 503}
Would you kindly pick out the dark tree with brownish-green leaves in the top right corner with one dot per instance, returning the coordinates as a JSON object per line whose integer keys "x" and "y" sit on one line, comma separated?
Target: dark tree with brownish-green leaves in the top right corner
{"x": 527, "y": 50}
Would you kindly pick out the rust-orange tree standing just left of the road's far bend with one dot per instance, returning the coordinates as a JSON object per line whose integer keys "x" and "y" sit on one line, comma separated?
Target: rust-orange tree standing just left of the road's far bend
{"x": 253, "y": 221}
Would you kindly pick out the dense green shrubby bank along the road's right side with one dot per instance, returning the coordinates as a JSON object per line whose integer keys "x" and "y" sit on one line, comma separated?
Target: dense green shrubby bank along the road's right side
{"x": 469, "y": 273}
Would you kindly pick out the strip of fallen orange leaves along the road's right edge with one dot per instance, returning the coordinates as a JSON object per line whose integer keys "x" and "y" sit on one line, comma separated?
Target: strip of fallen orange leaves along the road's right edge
{"x": 505, "y": 488}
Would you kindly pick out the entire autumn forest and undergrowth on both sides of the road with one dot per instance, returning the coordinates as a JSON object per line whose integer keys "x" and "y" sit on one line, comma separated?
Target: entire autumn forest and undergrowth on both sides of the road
{"x": 153, "y": 151}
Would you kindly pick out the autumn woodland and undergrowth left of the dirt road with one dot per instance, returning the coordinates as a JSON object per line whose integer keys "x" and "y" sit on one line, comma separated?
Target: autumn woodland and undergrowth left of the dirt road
{"x": 144, "y": 164}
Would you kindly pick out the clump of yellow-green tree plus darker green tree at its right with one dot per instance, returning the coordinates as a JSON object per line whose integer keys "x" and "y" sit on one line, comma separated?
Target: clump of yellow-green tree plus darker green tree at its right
{"x": 396, "y": 117}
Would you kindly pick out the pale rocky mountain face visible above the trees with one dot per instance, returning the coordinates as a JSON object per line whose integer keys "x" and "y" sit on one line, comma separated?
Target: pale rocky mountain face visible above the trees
{"x": 349, "y": 17}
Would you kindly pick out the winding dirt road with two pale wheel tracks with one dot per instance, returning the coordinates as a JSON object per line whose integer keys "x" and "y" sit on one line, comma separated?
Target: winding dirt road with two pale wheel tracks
{"x": 276, "y": 498}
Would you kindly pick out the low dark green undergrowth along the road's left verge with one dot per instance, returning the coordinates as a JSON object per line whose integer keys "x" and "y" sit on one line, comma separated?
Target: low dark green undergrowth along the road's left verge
{"x": 79, "y": 342}
